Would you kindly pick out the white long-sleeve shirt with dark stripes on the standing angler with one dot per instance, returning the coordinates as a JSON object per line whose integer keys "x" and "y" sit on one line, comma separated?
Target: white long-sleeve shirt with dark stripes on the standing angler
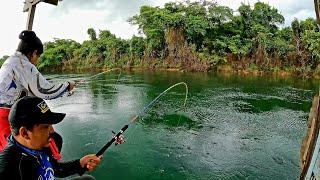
{"x": 18, "y": 77}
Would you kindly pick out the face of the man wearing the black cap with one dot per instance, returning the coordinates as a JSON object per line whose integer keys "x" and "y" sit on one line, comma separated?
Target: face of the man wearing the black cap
{"x": 39, "y": 136}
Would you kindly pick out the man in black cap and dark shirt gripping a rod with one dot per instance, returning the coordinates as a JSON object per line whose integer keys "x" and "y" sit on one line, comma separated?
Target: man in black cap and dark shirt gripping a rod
{"x": 27, "y": 155}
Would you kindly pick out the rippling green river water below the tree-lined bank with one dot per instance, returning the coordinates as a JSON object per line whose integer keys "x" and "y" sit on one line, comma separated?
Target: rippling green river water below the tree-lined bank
{"x": 233, "y": 127}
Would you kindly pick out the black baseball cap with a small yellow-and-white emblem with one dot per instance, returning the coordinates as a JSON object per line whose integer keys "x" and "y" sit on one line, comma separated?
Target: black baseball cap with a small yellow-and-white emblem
{"x": 32, "y": 110}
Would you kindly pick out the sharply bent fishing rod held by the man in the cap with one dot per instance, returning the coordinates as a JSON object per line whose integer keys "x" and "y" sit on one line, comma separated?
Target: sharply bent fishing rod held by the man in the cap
{"x": 135, "y": 119}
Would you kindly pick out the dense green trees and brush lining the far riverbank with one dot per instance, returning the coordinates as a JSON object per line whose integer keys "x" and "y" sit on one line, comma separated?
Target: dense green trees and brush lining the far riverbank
{"x": 197, "y": 36}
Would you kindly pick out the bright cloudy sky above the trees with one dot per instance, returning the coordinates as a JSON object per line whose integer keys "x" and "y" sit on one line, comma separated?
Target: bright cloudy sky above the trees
{"x": 71, "y": 18}
